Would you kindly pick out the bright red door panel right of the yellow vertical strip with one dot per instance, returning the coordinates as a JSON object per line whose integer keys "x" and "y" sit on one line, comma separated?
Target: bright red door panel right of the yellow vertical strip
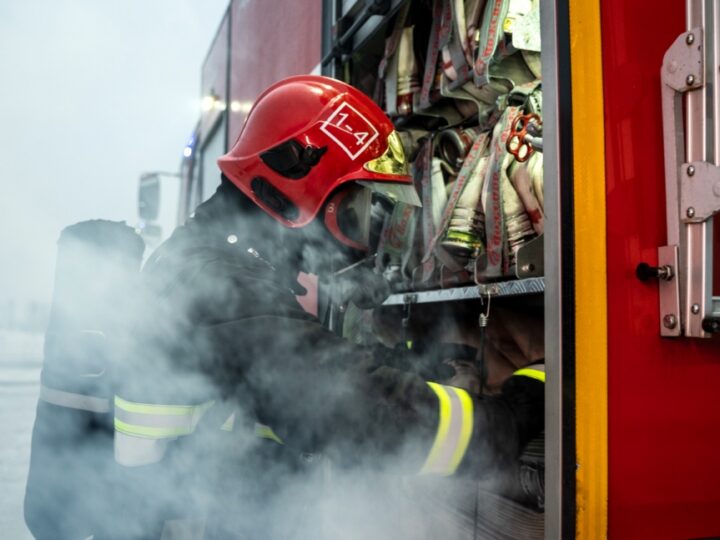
{"x": 664, "y": 413}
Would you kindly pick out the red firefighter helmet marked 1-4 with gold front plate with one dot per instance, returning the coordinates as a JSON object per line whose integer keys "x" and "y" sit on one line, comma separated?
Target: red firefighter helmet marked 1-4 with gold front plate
{"x": 305, "y": 137}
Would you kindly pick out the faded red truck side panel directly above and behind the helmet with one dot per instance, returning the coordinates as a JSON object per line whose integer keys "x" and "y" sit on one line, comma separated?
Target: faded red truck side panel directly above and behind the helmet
{"x": 270, "y": 41}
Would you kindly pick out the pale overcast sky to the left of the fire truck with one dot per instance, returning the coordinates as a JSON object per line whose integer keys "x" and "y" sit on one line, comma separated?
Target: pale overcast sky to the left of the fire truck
{"x": 92, "y": 93}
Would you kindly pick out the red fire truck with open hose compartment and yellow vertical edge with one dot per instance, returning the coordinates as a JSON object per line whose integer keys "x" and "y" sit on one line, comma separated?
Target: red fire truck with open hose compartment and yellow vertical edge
{"x": 626, "y": 269}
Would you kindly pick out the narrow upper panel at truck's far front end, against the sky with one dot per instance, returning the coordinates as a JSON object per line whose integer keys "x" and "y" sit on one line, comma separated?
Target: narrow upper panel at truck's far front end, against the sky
{"x": 214, "y": 79}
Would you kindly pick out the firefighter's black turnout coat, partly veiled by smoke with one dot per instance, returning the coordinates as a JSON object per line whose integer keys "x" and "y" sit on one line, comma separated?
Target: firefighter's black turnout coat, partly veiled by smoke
{"x": 220, "y": 323}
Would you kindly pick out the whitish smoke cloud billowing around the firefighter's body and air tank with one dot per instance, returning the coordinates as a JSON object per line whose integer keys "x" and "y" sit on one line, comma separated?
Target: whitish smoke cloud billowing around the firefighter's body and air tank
{"x": 161, "y": 341}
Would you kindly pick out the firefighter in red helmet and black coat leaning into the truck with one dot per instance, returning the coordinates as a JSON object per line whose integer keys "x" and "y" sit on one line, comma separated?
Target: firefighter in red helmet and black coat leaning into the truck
{"x": 231, "y": 387}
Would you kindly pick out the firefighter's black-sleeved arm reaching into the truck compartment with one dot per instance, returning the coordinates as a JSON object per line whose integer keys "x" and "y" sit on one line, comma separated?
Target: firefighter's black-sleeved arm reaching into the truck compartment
{"x": 319, "y": 393}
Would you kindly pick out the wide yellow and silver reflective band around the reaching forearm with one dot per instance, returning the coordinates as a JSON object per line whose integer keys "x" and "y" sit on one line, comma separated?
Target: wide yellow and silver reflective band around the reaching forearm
{"x": 455, "y": 426}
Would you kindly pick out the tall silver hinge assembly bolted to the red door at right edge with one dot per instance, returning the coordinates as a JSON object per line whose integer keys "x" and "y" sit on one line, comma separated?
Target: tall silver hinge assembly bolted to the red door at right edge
{"x": 691, "y": 133}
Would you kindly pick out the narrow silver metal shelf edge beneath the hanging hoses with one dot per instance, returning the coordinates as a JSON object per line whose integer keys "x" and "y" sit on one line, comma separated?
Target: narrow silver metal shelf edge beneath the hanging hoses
{"x": 501, "y": 288}
